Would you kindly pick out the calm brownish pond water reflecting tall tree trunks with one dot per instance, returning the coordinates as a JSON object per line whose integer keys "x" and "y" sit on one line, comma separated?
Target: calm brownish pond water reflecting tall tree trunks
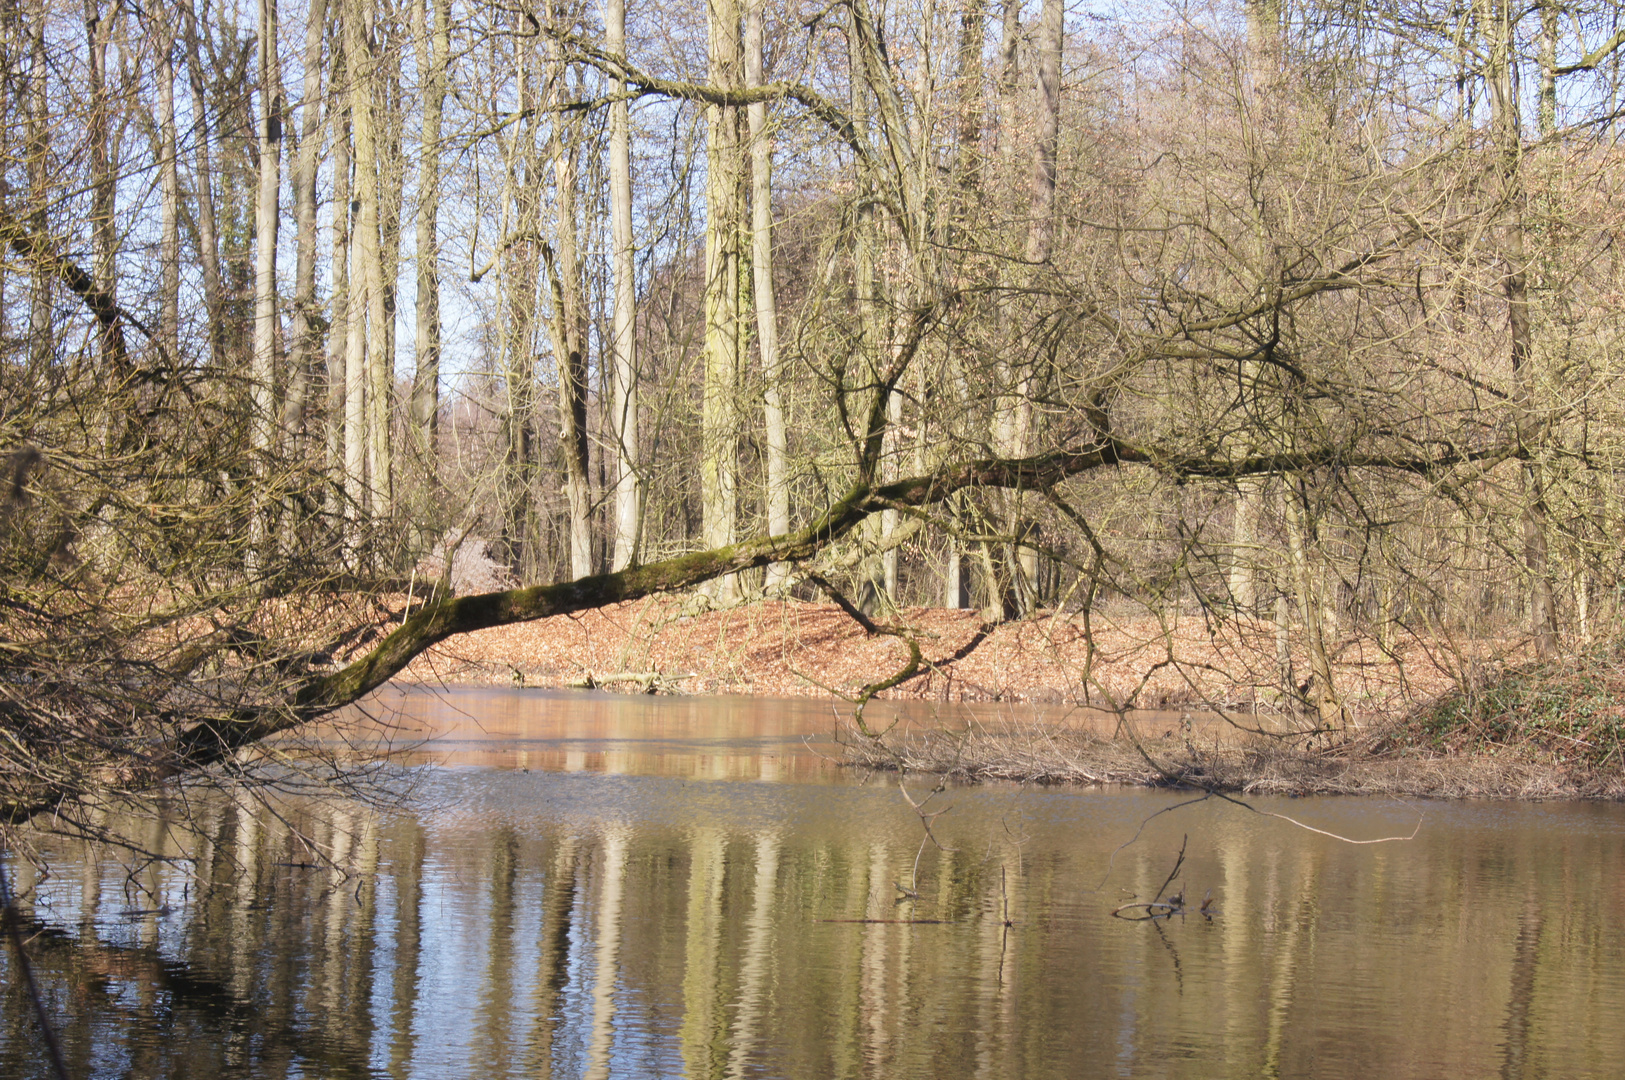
{"x": 589, "y": 886}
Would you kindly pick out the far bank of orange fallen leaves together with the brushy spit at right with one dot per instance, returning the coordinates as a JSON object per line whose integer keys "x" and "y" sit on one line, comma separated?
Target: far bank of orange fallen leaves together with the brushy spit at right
{"x": 1520, "y": 730}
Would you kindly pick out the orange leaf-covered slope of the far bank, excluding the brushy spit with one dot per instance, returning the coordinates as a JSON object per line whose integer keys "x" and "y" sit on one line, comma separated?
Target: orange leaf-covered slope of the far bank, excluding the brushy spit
{"x": 815, "y": 650}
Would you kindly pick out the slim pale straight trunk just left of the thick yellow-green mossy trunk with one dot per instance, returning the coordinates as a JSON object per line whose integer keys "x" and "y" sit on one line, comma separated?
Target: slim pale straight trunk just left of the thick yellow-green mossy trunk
{"x": 623, "y": 324}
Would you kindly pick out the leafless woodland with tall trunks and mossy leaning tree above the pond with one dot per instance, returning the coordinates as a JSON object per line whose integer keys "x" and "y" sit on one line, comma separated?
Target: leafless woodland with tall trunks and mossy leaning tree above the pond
{"x": 1299, "y": 319}
